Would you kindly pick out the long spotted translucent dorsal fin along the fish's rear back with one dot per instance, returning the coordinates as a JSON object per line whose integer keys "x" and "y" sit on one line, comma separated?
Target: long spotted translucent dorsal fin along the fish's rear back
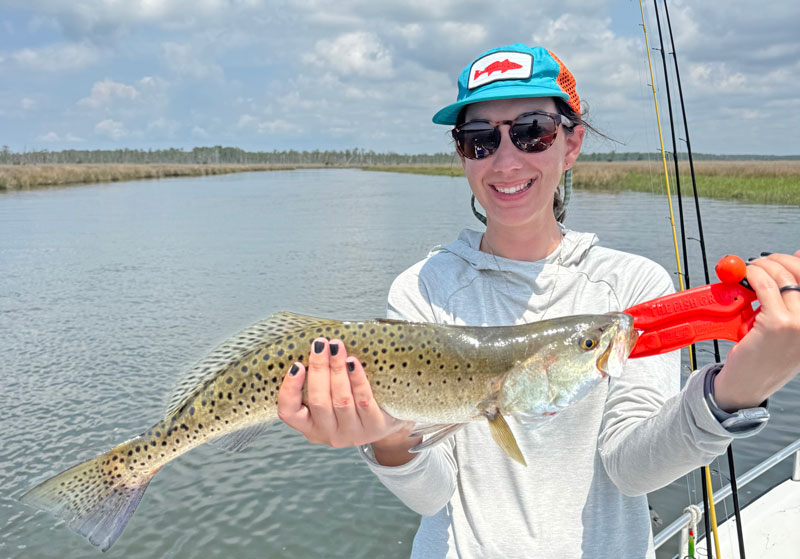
{"x": 233, "y": 349}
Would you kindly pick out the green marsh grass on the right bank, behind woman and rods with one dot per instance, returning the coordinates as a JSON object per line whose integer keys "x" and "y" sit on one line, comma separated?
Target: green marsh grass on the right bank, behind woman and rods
{"x": 762, "y": 182}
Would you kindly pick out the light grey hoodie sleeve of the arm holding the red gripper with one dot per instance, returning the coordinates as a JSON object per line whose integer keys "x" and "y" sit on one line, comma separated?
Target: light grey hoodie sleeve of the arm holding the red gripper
{"x": 653, "y": 432}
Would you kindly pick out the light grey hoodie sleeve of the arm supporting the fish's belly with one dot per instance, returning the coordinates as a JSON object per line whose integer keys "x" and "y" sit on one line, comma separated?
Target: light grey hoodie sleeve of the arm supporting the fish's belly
{"x": 427, "y": 482}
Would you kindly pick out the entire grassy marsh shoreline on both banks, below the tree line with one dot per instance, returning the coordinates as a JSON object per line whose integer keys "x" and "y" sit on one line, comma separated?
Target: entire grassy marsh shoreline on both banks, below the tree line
{"x": 759, "y": 182}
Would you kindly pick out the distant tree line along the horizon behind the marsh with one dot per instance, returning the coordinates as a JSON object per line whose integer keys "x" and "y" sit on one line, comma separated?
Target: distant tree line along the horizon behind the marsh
{"x": 354, "y": 157}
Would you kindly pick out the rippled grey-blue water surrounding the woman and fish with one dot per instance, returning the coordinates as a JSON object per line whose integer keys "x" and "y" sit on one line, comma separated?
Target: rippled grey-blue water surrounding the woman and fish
{"x": 106, "y": 291}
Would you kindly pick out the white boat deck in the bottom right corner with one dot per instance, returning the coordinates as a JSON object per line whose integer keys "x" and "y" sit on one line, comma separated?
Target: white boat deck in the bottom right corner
{"x": 771, "y": 527}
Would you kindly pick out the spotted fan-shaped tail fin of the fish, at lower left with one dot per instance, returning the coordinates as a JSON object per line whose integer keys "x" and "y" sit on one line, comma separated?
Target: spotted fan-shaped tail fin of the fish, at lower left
{"x": 96, "y": 498}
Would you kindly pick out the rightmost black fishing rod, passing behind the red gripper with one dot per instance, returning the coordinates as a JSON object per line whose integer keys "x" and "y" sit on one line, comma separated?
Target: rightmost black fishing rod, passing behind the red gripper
{"x": 703, "y": 252}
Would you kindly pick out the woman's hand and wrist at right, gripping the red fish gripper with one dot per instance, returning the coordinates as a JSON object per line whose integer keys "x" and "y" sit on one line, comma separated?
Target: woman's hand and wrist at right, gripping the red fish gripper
{"x": 769, "y": 355}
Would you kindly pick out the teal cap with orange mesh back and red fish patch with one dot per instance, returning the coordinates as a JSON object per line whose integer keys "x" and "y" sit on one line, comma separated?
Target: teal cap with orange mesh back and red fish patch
{"x": 512, "y": 72}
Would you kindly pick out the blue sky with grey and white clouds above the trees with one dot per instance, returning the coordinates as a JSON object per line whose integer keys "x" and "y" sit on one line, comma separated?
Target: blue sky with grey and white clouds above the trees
{"x": 269, "y": 75}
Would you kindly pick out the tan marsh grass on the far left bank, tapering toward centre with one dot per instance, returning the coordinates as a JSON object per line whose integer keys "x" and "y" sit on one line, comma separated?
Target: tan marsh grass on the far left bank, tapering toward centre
{"x": 24, "y": 177}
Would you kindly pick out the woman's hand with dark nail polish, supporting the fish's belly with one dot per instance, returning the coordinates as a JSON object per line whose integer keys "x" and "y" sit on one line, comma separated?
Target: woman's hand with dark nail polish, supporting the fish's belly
{"x": 340, "y": 409}
